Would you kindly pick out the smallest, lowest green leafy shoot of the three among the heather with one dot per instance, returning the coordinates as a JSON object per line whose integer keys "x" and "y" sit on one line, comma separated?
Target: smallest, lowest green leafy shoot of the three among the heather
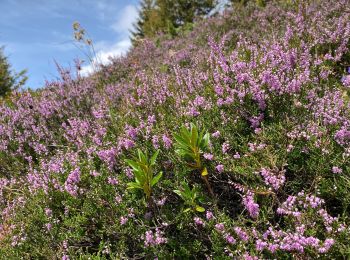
{"x": 191, "y": 197}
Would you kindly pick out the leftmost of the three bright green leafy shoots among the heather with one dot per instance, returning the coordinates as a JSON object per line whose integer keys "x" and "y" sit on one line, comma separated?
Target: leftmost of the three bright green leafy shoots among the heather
{"x": 142, "y": 167}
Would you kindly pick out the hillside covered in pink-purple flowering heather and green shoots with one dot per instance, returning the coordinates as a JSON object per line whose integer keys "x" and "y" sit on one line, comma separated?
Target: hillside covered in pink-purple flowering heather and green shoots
{"x": 270, "y": 88}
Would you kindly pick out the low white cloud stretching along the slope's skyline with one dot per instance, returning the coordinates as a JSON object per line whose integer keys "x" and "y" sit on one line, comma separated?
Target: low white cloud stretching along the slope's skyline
{"x": 104, "y": 53}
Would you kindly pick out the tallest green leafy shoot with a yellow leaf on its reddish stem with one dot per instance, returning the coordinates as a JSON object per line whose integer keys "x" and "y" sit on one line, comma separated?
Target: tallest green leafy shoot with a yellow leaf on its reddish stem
{"x": 190, "y": 144}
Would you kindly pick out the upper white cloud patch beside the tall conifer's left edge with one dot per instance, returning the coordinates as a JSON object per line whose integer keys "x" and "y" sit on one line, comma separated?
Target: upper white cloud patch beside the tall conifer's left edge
{"x": 125, "y": 20}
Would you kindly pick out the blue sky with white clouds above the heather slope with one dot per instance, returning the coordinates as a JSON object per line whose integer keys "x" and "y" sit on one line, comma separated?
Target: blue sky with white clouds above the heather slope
{"x": 36, "y": 33}
